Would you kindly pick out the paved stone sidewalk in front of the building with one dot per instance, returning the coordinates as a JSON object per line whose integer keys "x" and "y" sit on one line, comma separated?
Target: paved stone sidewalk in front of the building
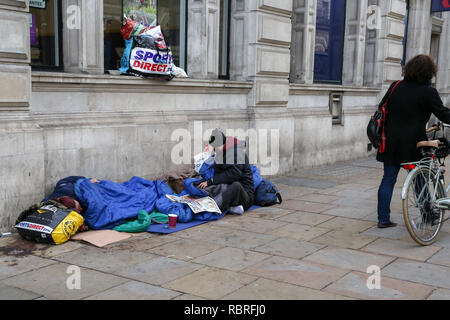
{"x": 320, "y": 243}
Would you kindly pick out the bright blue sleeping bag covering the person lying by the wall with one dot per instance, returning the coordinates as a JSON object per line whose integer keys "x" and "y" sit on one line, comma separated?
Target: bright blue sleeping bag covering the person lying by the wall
{"x": 110, "y": 204}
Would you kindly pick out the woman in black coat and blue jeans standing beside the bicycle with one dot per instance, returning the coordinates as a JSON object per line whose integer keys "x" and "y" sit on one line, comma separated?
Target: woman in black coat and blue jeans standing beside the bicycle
{"x": 410, "y": 106}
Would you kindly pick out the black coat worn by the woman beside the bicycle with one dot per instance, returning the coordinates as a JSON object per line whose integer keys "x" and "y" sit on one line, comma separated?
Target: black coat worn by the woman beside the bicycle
{"x": 409, "y": 109}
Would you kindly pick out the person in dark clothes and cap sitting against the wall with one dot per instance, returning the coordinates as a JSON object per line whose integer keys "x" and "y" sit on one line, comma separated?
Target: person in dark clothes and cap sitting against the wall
{"x": 233, "y": 177}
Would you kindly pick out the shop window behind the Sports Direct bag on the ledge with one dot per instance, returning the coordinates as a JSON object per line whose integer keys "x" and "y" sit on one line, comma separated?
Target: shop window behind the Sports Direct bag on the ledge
{"x": 170, "y": 14}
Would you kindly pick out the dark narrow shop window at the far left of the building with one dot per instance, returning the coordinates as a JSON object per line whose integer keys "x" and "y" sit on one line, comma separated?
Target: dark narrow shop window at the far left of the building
{"x": 46, "y": 34}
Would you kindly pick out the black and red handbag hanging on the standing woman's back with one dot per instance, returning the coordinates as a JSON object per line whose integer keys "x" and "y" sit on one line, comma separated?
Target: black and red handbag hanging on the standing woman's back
{"x": 375, "y": 128}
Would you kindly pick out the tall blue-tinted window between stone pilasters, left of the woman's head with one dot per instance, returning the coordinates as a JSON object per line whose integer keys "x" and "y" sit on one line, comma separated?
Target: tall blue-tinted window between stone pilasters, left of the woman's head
{"x": 329, "y": 44}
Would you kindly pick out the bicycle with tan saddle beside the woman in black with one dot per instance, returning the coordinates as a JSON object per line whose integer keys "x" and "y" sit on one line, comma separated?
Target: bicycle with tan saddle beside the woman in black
{"x": 424, "y": 195}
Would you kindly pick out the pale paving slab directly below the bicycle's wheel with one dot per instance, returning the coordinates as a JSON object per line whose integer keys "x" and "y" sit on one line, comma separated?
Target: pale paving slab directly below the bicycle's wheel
{"x": 403, "y": 249}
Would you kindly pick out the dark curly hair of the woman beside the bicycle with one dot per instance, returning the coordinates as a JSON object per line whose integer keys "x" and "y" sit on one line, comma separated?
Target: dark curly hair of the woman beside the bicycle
{"x": 420, "y": 69}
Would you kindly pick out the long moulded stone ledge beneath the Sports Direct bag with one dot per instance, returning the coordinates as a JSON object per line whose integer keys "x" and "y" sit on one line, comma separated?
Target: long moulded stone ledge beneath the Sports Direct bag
{"x": 45, "y": 81}
